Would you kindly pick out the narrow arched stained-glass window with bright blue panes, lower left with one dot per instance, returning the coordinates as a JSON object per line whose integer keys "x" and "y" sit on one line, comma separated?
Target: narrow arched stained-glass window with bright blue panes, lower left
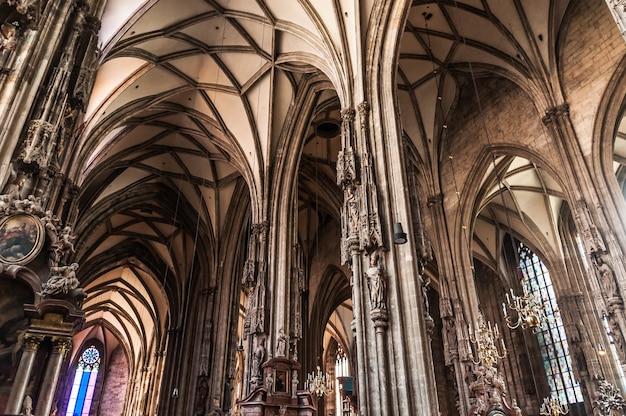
{"x": 84, "y": 383}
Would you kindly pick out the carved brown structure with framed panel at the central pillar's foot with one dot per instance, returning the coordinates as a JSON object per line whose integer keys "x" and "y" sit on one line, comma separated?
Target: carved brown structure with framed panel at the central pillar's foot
{"x": 279, "y": 394}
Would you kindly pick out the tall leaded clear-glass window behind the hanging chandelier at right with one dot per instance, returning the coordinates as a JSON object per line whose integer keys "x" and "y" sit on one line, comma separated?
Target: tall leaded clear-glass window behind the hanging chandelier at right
{"x": 552, "y": 340}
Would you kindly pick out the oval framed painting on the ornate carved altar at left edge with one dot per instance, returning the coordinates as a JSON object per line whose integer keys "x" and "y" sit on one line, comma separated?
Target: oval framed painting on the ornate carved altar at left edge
{"x": 21, "y": 238}
